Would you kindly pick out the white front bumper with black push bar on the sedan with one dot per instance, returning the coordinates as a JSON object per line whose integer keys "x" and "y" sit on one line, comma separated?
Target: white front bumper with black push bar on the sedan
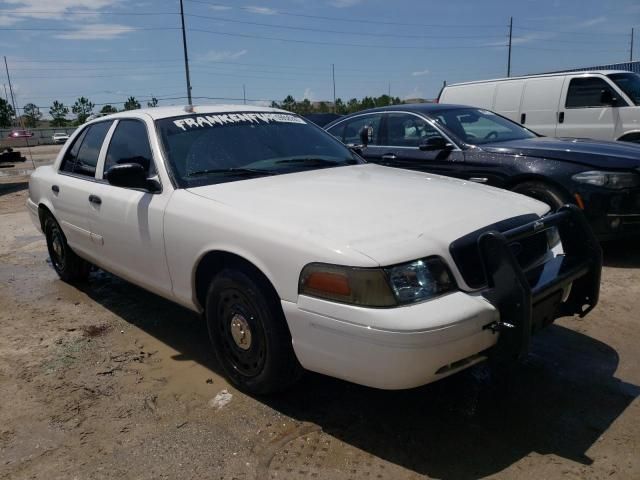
{"x": 409, "y": 346}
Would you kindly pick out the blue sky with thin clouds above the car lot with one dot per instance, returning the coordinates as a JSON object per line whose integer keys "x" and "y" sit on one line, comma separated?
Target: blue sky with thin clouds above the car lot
{"x": 263, "y": 50}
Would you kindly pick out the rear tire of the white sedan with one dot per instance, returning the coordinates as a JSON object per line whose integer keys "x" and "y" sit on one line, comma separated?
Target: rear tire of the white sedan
{"x": 69, "y": 266}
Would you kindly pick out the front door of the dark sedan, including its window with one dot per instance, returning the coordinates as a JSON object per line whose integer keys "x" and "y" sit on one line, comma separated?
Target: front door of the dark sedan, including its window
{"x": 403, "y": 134}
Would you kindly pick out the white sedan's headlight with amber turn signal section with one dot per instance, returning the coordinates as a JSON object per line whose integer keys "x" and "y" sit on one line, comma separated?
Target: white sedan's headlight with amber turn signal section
{"x": 377, "y": 287}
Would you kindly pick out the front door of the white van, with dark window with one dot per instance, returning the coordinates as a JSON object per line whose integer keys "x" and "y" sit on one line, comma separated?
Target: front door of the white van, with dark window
{"x": 590, "y": 109}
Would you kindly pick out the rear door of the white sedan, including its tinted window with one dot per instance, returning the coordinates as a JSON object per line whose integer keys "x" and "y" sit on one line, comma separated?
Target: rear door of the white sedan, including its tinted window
{"x": 74, "y": 183}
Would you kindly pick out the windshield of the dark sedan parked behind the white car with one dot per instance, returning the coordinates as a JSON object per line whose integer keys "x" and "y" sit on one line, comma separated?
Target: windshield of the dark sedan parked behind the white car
{"x": 477, "y": 126}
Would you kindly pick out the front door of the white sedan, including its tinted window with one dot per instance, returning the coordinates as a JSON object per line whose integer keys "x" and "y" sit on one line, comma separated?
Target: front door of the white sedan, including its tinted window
{"x": 127, "y": 223}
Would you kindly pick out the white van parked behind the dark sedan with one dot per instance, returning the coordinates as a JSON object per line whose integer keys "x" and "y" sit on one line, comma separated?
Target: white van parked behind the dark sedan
{"x": 604, "y": 105}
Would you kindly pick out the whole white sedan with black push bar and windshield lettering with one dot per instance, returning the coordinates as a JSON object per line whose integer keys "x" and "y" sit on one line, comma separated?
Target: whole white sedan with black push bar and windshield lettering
{"x": 301, "y": 255}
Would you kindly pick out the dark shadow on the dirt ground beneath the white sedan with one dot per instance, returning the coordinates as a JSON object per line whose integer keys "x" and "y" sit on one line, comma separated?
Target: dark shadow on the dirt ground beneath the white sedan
{"x": 559, "y": 401}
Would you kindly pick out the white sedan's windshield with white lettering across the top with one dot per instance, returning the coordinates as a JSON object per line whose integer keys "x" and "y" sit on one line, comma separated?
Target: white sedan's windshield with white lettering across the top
{"x": 215, "y": 148}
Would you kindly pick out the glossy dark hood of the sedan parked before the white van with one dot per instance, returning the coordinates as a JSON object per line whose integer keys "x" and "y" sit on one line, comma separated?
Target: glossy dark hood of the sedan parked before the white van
{"x": 593, "y": 153}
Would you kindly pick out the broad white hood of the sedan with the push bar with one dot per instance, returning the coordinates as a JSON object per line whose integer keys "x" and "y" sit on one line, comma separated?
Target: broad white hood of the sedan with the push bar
{"x": 386, "y": 214}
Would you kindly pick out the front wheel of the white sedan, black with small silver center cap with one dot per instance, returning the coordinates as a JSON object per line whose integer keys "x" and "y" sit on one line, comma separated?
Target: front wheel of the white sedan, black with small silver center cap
{"x": 249, "y": 333}
